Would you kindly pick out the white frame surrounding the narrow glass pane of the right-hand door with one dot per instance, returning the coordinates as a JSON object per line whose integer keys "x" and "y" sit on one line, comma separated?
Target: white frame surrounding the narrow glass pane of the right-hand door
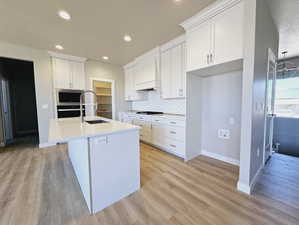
{"x": 271, "y": 58}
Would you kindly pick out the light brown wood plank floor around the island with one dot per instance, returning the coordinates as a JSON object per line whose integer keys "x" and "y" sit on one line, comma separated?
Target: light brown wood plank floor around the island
{"x": 39, "y": 187}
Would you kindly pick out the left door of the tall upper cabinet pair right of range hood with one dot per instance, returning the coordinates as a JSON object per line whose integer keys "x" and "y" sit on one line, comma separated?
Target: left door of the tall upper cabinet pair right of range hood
{"x": 166, "y": 81}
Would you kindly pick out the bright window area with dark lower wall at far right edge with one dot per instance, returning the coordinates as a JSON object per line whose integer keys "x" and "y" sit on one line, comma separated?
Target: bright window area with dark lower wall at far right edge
{"x": 286, "y": 126}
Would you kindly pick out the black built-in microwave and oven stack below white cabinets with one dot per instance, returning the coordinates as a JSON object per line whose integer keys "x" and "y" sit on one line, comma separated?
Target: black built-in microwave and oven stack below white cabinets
{"x": 68, "y": 103}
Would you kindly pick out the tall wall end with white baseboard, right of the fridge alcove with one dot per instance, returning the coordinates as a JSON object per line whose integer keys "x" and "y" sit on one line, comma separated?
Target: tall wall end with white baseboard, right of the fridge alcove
{"x": 260, "y": 34}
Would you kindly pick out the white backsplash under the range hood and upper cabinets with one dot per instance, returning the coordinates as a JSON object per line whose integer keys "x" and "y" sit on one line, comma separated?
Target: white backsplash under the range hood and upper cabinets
{"x": 154, "y": 102}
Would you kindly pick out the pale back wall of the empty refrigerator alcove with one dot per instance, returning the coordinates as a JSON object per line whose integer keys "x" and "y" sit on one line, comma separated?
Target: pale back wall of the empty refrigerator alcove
{"x": 221, "y": 109}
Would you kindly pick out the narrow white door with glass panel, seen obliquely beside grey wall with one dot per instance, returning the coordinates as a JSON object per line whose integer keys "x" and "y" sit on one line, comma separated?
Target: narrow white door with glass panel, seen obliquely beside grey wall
{"x": 269, "y": 109}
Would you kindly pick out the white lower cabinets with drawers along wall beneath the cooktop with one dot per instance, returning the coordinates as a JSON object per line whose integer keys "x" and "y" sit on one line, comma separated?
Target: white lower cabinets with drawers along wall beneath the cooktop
{"x": 166, "y": 133}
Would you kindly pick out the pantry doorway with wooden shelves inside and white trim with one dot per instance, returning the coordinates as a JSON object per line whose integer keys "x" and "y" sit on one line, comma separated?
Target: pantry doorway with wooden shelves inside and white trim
{"x": 104, "y": 90}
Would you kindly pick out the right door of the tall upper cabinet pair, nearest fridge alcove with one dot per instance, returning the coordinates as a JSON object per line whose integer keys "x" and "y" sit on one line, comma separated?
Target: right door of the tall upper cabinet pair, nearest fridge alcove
{"x": 177, "y": 72}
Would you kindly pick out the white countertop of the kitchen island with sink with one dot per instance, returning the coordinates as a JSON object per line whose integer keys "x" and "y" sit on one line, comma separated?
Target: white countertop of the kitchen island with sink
{"x": 64, "y": 130}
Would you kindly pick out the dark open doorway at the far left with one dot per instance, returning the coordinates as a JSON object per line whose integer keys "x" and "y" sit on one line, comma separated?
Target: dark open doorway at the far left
{"x": 19, "y": 122}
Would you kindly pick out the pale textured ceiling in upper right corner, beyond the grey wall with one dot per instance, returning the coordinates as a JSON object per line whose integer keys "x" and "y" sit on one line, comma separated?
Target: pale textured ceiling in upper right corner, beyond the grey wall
{"x": 286, "y": 16}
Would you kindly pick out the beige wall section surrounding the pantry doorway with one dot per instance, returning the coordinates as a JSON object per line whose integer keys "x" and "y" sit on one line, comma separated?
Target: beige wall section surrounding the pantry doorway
{"x": 97, "y": 69}
